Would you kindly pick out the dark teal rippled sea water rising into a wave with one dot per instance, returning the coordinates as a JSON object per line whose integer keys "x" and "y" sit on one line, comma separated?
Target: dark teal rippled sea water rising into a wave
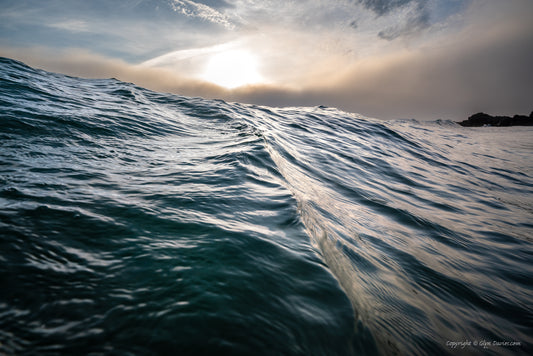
{"x": 136, "y": 222}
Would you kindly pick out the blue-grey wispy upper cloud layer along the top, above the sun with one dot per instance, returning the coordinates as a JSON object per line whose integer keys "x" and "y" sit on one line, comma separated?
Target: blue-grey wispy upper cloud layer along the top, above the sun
{"x": 143, "y": 29}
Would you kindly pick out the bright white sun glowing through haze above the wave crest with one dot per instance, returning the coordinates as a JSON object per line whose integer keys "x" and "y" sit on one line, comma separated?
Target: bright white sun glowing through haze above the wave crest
{"x": 232, "y": 69}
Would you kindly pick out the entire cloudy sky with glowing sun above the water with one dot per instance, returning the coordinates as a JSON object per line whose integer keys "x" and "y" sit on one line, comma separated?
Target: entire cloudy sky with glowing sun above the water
{"x": 421, "y": 59}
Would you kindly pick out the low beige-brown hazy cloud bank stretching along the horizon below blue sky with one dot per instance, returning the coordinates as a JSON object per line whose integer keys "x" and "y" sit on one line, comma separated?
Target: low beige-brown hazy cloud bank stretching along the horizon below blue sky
{"x": 483, "y": 66}
